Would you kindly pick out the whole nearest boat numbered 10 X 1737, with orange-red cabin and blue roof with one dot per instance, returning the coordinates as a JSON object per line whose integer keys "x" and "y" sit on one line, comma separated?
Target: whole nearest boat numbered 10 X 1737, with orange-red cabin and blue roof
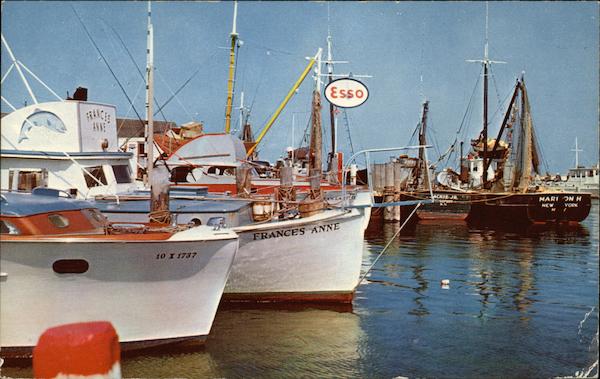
{"x": 62, "y": 262}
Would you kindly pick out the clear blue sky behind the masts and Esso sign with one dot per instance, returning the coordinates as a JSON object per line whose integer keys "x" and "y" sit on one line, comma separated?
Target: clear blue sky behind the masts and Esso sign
{"x": 554, "y": 43}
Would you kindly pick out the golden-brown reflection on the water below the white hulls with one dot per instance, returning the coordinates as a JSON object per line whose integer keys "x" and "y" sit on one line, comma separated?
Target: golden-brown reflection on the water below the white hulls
{"x": 250, "y": 341}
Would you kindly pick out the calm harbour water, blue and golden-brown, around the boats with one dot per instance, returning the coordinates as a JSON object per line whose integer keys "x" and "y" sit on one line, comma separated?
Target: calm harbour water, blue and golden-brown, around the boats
{"x": 513, "y": 309}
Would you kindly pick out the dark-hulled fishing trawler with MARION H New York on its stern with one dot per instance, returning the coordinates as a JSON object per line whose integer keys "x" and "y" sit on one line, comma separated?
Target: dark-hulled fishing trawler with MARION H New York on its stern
{"x": 510, "y": 197}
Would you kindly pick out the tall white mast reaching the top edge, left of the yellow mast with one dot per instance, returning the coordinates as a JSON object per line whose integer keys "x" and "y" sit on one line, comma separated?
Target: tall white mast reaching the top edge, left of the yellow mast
{"x": 149, "y": 95}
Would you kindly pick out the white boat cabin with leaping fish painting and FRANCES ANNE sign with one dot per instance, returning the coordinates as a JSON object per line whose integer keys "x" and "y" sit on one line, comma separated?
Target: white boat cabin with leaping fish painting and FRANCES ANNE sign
{"x": 71, "y": 145}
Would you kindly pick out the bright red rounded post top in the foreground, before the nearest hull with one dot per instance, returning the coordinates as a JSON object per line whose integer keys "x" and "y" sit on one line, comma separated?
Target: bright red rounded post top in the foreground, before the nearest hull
{"x": 80, "y": 350}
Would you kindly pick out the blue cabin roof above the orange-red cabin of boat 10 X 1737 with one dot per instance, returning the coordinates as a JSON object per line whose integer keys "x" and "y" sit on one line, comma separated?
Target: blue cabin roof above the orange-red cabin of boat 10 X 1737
{"x": 27, "y": 204}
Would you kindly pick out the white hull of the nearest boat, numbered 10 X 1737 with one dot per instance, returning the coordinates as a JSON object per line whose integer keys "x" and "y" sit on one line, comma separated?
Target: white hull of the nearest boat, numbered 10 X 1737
{"x": 147, "y": 296}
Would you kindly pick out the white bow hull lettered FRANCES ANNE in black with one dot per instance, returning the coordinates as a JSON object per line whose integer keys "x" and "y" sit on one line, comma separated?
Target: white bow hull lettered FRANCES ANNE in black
{"x": 317, "y": 258}
